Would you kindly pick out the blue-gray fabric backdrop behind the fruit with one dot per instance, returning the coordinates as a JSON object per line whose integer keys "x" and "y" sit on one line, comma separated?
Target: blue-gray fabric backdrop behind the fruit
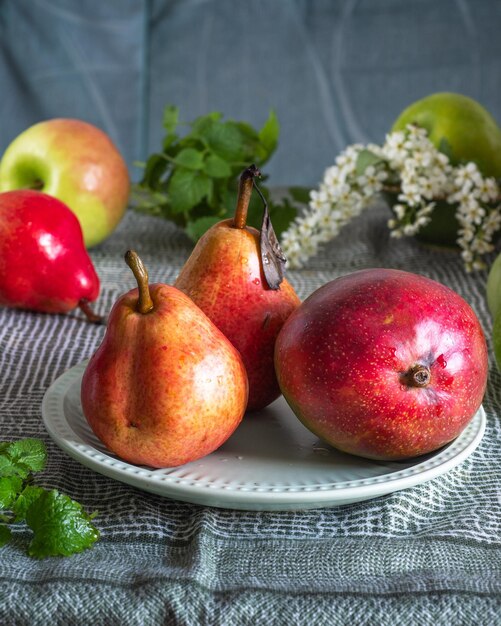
{"x": 336, "y": 71}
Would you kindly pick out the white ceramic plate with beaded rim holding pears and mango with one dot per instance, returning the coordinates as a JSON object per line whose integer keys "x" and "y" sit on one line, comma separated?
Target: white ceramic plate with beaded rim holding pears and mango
{"x": 272, "y": 462}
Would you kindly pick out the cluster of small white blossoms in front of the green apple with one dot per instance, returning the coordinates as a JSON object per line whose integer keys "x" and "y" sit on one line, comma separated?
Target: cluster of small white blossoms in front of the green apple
{"x": 412, "y": 170}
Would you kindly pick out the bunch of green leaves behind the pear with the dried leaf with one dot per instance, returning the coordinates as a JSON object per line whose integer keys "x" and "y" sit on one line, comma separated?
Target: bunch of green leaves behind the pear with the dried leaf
{"x": 193, "y": 181}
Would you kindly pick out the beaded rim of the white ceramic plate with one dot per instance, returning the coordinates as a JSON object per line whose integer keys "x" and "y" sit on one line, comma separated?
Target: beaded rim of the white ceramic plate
{"x": 345, "y": 492}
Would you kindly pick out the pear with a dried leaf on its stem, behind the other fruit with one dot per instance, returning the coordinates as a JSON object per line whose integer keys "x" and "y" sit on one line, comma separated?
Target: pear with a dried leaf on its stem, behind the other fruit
{"x": 225, "y": 277}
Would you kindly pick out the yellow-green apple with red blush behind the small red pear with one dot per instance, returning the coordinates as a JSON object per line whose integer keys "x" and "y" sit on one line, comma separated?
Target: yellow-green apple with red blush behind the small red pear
{"x": 75, "y": 162}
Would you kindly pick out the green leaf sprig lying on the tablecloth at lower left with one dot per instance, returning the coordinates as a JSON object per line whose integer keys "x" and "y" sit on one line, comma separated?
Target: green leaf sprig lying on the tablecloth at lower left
{"x": 60, "y": 526}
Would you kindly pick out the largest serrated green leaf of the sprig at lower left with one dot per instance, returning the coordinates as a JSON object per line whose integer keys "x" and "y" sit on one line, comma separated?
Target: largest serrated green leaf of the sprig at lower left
{"x": 60, "y": 526}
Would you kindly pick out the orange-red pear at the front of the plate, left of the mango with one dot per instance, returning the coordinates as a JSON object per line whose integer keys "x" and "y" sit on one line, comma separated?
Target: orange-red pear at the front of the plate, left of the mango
{"x": 165, "y": 387}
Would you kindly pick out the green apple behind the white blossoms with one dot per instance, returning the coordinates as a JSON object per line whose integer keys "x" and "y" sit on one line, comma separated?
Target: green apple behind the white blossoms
{"x": 465, "y": 131}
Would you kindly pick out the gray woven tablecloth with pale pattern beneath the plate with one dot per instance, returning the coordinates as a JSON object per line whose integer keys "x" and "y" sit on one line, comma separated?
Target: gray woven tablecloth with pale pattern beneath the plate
{"x": 426, "y": 555}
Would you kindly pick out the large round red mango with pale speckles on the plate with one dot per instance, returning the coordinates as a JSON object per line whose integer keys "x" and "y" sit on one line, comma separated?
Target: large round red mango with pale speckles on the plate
{"x": 383, "y": 364}
